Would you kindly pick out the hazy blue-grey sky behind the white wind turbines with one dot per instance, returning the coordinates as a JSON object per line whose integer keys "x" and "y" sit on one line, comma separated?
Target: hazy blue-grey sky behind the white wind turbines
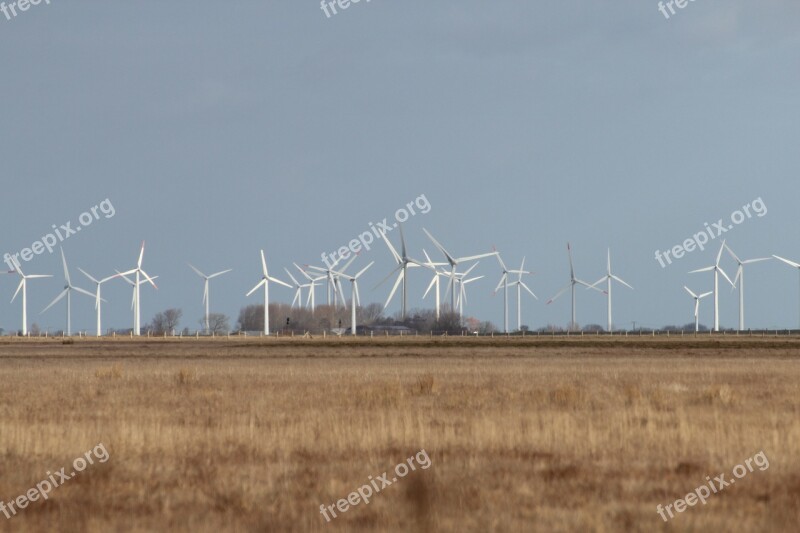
{"x": 217, "y": 129}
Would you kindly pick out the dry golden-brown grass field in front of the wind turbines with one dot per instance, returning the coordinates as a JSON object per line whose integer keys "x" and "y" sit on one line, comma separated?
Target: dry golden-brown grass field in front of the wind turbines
{"x": 522, "y": 434}
